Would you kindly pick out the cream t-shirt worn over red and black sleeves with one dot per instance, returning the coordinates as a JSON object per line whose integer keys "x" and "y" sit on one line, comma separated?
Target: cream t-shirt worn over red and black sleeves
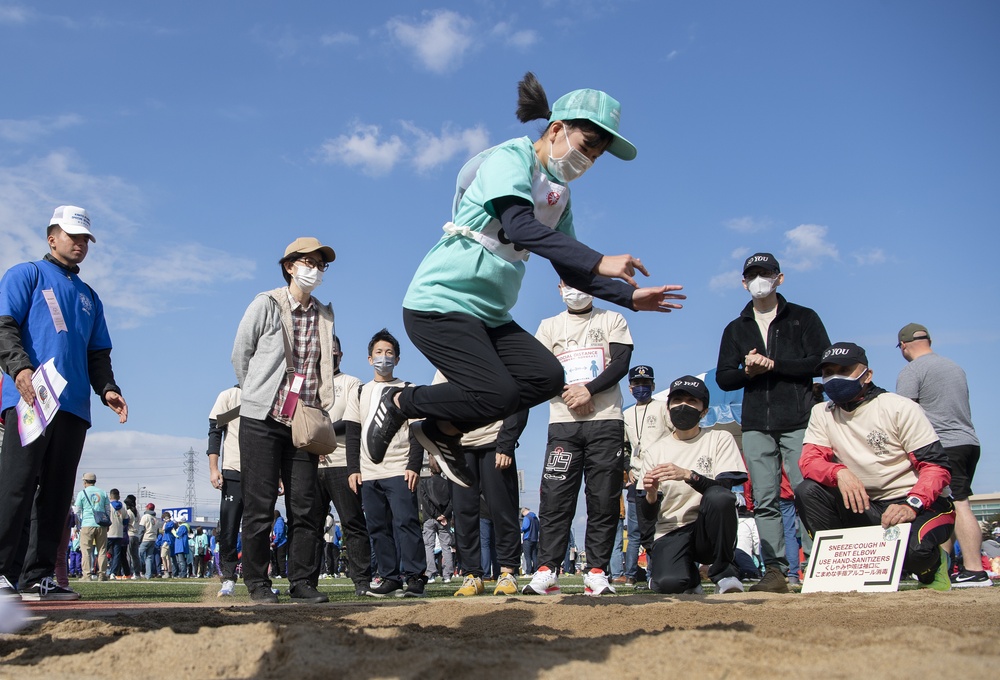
{"x": 874, "y": 441}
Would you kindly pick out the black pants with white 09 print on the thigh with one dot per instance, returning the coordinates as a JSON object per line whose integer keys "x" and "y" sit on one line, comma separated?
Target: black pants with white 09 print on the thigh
{"x": 589, "y": 451}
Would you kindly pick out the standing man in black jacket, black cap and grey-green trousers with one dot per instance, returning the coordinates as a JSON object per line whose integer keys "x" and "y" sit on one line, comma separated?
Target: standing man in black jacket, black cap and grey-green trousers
{"x": 771, "y": 351}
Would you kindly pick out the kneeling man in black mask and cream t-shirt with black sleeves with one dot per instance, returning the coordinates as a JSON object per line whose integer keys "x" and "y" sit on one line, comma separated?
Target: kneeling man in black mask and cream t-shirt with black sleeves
{"x": 688, "y": 507}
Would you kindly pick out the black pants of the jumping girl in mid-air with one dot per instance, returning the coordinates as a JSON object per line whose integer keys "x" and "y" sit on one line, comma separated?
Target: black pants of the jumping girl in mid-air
{"x": 492, "y": 372}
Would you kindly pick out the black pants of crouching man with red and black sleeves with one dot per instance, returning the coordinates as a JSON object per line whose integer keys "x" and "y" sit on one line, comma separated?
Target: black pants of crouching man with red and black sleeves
{"x": 822, "y": 507}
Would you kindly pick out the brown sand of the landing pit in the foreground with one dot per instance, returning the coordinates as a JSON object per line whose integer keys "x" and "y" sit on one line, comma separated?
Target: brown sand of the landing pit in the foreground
{"x": 912, "y": 634}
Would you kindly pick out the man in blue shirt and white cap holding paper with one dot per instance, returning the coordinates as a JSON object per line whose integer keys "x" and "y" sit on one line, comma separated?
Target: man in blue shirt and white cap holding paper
{"x": 48, "y": 312}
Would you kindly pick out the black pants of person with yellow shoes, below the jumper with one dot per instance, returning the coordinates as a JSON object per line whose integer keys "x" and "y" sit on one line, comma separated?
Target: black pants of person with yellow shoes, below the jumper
{"x": 499, "y": 489}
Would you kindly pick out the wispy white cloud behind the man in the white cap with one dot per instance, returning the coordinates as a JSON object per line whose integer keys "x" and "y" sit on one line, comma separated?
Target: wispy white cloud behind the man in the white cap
{"x": 116, "y": 266}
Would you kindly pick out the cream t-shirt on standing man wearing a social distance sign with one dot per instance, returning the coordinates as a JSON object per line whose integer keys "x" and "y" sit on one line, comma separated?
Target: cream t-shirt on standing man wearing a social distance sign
{"x": 582, "y": 343}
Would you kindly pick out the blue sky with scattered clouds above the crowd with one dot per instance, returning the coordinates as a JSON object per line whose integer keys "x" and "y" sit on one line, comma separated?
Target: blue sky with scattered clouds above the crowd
{"x": 855, "y": 140}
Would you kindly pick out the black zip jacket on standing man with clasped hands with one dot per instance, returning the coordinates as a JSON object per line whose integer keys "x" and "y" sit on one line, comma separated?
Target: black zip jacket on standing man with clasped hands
{"x": 780, "y": 399}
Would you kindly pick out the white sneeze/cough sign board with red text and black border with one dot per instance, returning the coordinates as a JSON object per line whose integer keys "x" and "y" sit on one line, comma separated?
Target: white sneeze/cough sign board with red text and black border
{"x": 863, "y": 559}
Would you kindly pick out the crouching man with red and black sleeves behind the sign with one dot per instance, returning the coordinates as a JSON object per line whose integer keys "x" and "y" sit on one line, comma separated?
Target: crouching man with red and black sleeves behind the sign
{"x": 871, "y": 457}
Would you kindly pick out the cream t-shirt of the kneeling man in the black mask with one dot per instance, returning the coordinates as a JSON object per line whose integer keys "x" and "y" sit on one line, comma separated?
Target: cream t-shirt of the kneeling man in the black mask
{"x": 710, "y": 453}
